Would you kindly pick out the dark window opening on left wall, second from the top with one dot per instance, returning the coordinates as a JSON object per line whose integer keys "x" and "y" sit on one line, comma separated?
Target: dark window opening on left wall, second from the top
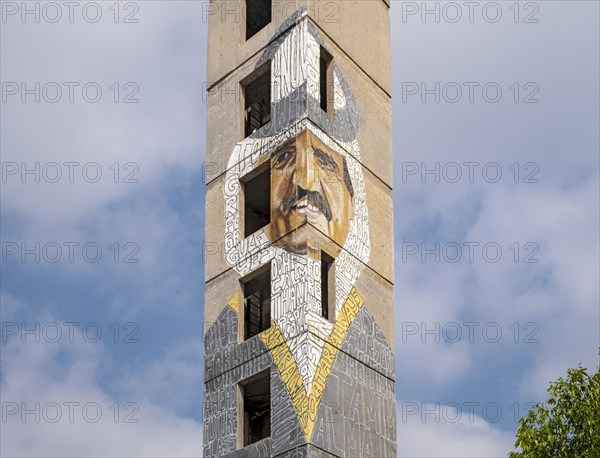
{"x": 257, "y": 100}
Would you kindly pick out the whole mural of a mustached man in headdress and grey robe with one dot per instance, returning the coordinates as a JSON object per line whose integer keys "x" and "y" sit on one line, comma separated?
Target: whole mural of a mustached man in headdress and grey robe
{"x": 321, "y": 393}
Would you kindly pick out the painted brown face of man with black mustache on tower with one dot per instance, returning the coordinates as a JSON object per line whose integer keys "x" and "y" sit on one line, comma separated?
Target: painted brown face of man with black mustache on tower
{"x": 310, "y": 181}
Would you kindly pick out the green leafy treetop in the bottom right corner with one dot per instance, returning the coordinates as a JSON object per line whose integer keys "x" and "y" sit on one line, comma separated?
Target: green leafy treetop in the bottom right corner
{"x": 567, "y": 424}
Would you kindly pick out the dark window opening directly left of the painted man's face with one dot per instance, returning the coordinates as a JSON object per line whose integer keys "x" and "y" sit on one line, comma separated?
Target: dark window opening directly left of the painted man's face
{"x": 257, "y": 201}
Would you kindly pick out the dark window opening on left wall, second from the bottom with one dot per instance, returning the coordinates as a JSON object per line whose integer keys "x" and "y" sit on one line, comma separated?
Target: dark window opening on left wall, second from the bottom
{"x": 257, "y": 304}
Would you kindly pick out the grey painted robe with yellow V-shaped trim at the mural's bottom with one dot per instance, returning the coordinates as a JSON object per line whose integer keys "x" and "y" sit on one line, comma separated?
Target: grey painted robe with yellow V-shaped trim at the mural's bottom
{"x": 353, "y": 396}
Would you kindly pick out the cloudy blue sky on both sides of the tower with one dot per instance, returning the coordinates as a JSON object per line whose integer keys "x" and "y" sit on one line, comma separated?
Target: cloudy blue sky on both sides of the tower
{"x": 153, "y": 366}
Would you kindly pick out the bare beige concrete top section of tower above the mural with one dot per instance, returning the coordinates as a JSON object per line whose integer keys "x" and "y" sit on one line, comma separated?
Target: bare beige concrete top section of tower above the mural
{"x": 357, "y": 26}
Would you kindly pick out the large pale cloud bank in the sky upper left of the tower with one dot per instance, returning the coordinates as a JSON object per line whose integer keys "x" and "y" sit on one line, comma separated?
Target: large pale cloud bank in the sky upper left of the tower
{"x": 162, "y": 55}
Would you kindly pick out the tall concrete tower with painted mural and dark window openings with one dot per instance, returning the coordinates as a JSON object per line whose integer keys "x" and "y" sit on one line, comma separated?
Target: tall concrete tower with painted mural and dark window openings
{"x": 299, "y": 233}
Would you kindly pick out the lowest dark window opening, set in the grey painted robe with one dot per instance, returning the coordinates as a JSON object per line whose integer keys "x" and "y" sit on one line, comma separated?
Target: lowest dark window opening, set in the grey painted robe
{"x": 256, "y": 396}
